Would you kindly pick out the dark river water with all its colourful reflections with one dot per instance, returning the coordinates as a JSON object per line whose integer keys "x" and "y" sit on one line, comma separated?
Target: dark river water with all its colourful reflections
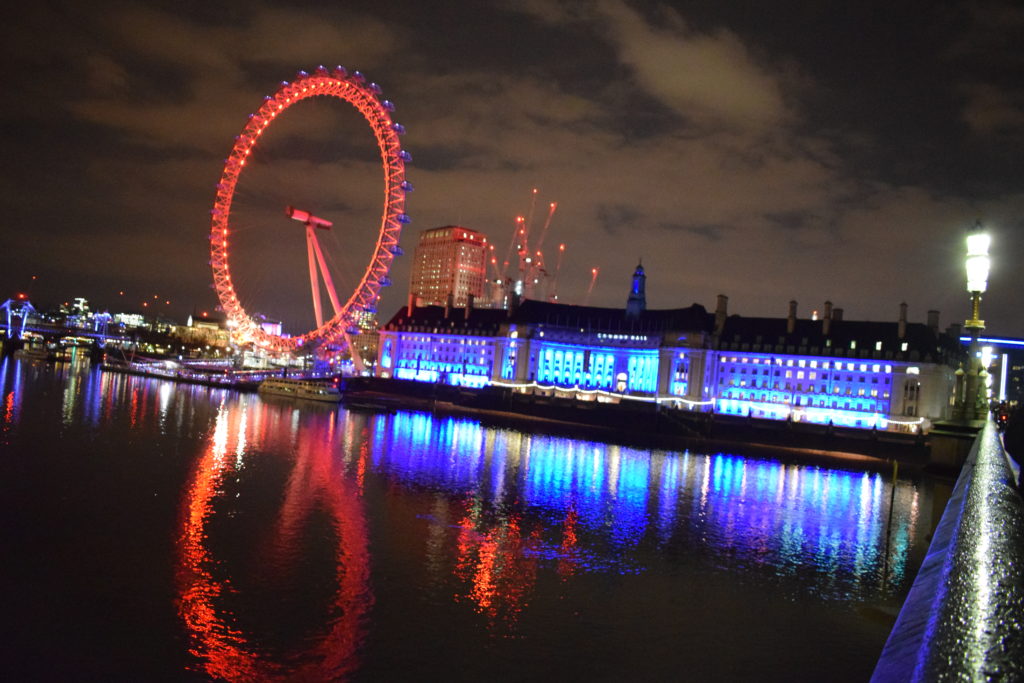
{"x": 162, "y": 532}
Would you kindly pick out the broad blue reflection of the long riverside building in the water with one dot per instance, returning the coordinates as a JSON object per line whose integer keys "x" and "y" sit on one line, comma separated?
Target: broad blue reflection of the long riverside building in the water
{"x": 734, "y": 514}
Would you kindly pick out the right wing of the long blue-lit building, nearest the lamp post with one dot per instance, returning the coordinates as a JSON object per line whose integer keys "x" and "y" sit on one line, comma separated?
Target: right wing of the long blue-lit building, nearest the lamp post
{"x": 854, "y": 373}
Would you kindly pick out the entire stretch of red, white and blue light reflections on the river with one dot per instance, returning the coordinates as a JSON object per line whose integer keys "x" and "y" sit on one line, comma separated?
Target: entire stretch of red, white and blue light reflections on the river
{"x": 287, "y": 499}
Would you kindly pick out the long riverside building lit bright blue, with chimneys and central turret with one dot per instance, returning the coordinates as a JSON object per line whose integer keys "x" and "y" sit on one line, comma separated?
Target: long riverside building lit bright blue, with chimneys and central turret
{"x": 831, "y": 371}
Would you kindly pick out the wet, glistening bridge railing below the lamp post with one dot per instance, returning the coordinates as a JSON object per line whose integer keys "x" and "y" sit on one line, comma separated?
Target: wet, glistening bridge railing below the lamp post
{"x": 964, "y": 617}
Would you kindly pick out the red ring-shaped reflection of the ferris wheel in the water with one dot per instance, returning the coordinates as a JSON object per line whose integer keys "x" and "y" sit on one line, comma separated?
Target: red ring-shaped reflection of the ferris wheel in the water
{"x": 225, "y": 651}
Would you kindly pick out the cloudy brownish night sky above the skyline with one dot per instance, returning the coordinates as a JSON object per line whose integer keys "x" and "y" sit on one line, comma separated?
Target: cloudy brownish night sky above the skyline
{"x": 764, "y": 151}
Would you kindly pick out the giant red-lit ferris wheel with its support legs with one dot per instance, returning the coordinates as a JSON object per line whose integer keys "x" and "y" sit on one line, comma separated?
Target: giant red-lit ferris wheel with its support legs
{"x": 366, "y": 98}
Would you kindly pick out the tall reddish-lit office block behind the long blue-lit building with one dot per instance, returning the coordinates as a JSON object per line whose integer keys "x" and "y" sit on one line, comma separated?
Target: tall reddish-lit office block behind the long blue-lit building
{"x": 449, "y": 261}
